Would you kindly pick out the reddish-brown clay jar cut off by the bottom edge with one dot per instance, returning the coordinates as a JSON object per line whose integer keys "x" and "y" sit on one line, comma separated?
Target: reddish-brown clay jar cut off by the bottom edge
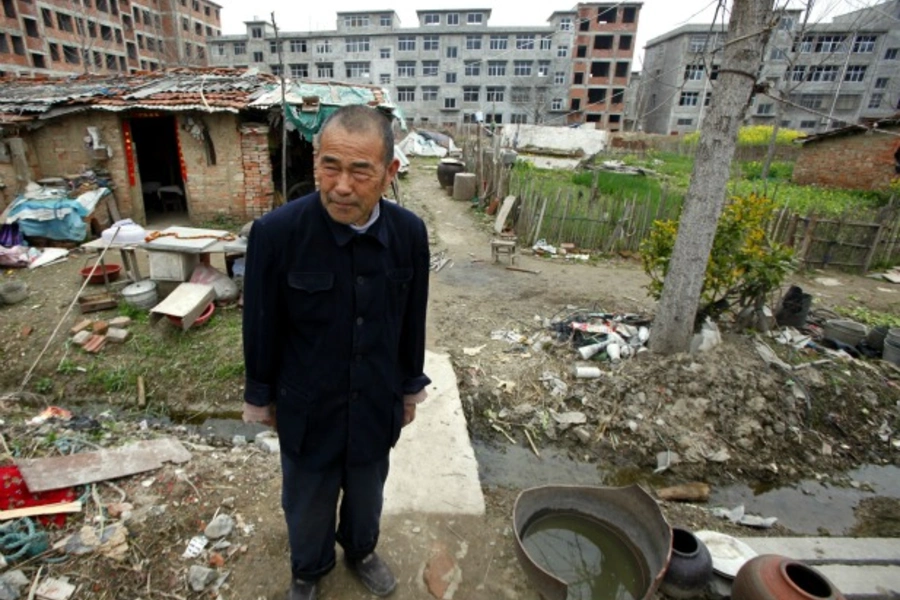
{"x": 774, "y": 577}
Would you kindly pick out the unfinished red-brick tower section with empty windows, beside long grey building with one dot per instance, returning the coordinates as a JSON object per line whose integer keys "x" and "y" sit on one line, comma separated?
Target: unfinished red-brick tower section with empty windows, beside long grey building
{"x": 603, "y": 53}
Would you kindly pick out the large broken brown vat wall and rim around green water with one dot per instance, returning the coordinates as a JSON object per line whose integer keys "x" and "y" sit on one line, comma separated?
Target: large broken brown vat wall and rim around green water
{"x": 629, "y": 510}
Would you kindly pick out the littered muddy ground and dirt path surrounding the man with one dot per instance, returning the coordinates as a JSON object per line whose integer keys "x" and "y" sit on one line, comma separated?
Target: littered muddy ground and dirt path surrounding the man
{"x": 728, "y": 415}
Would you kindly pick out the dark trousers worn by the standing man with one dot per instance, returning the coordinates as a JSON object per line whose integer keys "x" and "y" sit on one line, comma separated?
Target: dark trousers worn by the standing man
{"x": 309, "y": 499}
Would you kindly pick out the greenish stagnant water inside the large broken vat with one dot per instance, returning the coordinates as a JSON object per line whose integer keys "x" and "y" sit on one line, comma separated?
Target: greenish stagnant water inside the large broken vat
{"x": 593, "y": 558}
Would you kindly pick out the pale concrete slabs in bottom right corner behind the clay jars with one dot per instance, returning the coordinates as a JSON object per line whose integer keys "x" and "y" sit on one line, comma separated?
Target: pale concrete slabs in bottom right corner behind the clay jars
{"x": 859, "y": 567}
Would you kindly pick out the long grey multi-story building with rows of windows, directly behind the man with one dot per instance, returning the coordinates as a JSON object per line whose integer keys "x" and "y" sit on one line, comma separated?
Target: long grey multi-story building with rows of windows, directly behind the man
{"x": 451, "y": 68}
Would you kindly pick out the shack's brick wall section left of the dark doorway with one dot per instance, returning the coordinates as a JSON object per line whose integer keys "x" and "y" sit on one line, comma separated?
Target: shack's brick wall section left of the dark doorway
{"x": 60, "y": 150}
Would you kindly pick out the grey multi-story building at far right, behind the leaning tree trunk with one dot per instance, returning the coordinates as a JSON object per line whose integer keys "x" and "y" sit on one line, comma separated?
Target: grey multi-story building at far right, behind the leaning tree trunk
{"x": 819, "y": 76}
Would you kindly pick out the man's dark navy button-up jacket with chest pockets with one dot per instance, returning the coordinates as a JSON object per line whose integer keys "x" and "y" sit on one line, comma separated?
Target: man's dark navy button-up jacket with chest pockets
{"x": 334, "y": 328}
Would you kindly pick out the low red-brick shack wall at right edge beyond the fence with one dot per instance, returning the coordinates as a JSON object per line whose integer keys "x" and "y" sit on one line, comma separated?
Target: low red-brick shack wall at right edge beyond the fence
{"x": 862, "y": 161}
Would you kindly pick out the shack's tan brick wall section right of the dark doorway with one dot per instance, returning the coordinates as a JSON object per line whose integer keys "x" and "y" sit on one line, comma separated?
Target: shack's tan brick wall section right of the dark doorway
{"x": 213, "y": 190}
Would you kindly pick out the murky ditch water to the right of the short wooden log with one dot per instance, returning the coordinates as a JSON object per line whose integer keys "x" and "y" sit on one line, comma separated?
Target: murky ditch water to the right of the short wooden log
{"x": 812, "y": 507}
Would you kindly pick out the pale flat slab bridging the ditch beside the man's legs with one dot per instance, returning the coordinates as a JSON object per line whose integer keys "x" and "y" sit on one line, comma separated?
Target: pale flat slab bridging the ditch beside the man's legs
{"x": 433, "y": 466}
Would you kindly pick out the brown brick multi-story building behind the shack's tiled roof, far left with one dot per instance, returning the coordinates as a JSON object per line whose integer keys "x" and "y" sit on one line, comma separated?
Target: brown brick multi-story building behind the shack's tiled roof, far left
{"x": 59, "y": 37}
